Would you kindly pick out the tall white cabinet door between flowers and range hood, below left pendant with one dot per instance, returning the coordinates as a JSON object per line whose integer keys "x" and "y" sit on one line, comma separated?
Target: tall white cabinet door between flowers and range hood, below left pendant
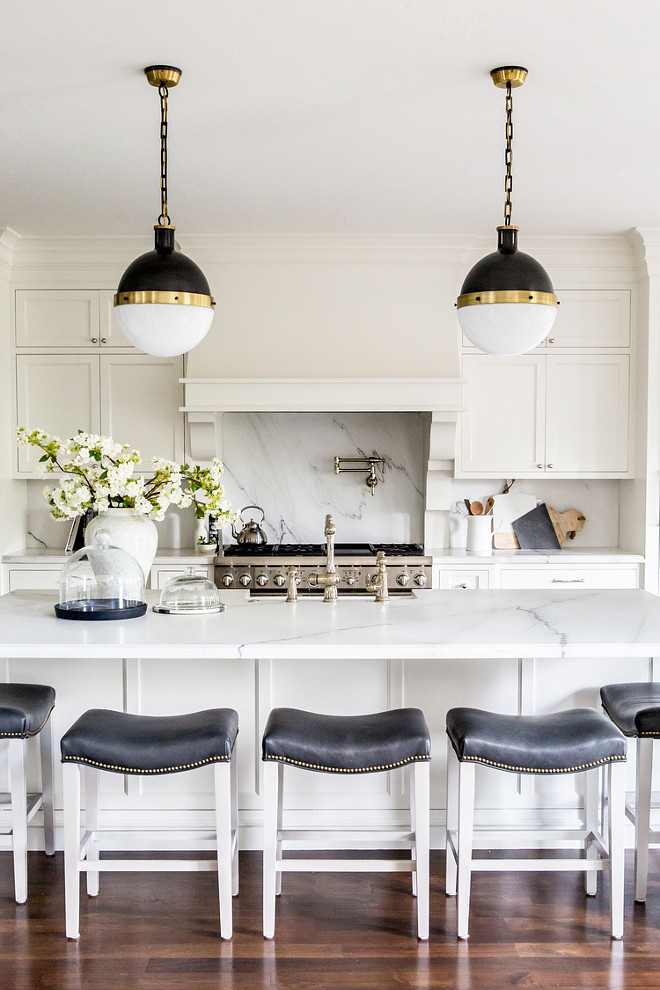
{"x": 140, "y": 400}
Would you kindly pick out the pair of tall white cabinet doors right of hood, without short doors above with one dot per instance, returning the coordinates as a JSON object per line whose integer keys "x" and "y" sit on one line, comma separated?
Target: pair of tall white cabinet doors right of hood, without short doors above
{"x": 560, "y": 414}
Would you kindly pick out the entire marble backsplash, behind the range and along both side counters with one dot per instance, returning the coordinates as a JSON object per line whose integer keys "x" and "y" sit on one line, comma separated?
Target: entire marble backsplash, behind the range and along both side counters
{"x": 284, "y": 462}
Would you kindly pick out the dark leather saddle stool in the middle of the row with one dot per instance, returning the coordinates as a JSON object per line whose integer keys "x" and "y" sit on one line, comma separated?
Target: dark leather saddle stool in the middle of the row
{"x": 346, "y": 744}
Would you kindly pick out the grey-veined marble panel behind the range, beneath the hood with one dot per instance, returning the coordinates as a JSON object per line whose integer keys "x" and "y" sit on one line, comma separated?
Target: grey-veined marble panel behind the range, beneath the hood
{"x": 284, "y": 462}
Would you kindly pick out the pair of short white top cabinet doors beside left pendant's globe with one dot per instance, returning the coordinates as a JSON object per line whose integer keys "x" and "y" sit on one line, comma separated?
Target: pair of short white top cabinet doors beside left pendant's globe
{"x": 67, "y": 318}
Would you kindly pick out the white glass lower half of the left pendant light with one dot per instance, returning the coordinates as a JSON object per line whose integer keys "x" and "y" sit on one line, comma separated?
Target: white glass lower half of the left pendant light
{"x": 164, "y": 329}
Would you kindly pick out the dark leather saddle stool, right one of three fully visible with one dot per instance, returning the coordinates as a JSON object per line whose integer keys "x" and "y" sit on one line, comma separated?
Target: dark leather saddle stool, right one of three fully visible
{"x": 581, "y": 740}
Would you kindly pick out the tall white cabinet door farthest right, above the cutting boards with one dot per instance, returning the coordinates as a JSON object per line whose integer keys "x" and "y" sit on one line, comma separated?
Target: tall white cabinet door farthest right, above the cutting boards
{"x": 587, "y": 419}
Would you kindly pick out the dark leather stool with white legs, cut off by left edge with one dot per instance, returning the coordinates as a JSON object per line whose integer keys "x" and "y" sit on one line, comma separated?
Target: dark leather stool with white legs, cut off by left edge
{"x": 24, "y": 713}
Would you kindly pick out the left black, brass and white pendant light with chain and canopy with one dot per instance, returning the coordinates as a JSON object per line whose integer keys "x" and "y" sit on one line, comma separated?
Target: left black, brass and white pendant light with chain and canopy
{"x": 163, "y": 303}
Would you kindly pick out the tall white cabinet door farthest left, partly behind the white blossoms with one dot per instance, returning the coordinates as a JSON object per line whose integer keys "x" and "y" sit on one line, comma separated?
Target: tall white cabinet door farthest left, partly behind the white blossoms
{"x": 58, "y": 393}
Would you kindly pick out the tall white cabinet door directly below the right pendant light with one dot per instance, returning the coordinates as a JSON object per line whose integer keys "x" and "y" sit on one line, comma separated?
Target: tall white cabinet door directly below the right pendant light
{"x": 503, "y": 425}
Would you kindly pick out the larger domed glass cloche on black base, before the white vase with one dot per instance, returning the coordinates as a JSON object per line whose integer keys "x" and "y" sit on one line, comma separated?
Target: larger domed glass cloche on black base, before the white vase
{"x": 101, "y": 582}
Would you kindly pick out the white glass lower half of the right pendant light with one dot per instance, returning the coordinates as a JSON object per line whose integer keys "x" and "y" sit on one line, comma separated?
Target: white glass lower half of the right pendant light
{"x": 506, "y": 328}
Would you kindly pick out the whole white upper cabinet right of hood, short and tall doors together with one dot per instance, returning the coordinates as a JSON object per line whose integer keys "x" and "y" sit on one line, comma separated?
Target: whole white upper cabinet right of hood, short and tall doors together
{"x": 564, "y": 408}
